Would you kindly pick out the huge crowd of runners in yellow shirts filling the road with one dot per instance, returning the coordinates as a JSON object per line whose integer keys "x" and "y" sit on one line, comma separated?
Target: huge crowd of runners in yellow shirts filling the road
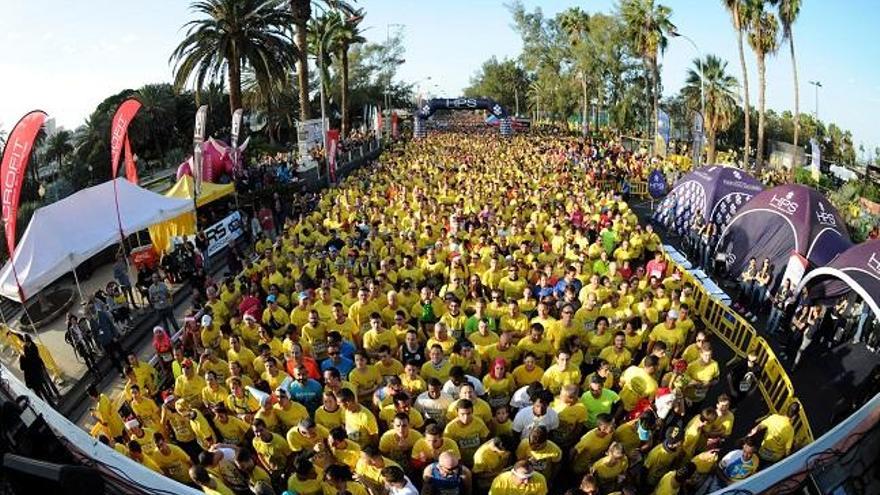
{"x": 469, "y": 314}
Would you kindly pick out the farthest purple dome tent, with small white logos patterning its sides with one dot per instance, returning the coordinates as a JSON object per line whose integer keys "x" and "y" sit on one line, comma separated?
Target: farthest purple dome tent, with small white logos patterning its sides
{"x": 716, "y": 192}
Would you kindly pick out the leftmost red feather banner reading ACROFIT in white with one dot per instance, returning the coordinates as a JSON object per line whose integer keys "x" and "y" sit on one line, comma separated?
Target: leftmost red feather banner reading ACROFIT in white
{"x": 16, "y": 156}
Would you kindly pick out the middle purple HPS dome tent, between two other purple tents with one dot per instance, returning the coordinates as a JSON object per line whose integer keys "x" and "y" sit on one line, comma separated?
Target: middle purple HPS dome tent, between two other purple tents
{"x": 780, "y": 222}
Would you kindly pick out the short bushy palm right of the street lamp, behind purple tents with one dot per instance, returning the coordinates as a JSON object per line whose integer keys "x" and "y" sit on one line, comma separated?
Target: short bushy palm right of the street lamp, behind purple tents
{"x": 720, "y": 93}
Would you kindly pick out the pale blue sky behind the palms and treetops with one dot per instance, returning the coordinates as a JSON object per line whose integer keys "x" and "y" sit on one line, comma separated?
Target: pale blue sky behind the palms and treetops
{"x": 65, "y": 57}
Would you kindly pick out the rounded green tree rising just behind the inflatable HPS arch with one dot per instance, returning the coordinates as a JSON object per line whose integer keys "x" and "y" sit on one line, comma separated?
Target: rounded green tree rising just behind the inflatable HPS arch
{"x": 505, "y": 82}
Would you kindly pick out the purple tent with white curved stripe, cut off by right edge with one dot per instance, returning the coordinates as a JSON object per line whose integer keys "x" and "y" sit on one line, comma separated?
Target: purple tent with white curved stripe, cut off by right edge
{"x": 856, "y": 269}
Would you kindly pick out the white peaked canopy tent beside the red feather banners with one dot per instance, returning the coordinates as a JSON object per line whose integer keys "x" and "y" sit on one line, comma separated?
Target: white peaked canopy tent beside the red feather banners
{"x": 68, "y": 232}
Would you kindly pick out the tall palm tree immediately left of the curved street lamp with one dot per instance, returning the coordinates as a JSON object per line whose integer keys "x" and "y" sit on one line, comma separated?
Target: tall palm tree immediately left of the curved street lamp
{"x": 647, "y": 25}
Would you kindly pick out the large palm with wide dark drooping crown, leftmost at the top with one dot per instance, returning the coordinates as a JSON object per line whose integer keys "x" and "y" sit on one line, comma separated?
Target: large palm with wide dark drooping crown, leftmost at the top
{"x": 231, "y": 35}
